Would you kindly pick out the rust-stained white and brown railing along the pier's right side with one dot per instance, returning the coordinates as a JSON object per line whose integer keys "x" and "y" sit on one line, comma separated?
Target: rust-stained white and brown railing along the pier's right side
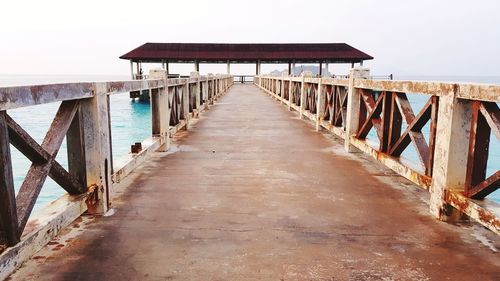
{"x": 451, "y": 157}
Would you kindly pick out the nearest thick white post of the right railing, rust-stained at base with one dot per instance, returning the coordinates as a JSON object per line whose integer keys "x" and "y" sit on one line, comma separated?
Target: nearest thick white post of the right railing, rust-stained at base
{"x": 450, "y": 155}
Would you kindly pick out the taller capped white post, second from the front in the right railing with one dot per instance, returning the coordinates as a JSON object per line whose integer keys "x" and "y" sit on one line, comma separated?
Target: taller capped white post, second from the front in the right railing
{"x": 353, "y": 104}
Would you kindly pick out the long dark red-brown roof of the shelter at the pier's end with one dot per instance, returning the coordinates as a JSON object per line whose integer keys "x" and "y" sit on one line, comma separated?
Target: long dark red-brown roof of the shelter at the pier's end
{"x": 207, "y": 52}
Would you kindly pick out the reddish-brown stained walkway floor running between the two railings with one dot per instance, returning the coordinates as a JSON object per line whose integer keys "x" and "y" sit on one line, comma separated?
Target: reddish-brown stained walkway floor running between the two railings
{"x": 252, "y": 193}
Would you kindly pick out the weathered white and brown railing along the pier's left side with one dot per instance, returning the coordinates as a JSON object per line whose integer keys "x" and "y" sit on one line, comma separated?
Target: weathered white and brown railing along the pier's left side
{"x": 83, "y": 118}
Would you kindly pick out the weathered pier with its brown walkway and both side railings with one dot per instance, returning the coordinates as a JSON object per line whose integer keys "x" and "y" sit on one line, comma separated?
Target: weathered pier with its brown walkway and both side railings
{"x": 275, "y": 180}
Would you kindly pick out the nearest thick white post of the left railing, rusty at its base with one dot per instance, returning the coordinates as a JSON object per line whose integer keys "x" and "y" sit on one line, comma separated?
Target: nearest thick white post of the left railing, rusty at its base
{"x": 97, "y": 146}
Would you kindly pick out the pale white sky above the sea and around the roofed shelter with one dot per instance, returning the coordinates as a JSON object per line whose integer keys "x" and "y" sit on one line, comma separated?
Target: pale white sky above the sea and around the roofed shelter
{"x": 424, "y": 37}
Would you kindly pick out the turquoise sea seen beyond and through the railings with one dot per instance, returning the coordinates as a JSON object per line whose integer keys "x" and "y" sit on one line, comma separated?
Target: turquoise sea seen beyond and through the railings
{"x": 131, "y": 122}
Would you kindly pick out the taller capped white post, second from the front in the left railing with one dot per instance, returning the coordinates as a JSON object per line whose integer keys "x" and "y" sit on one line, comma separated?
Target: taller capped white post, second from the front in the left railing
{"x": 160, "y": 112}
